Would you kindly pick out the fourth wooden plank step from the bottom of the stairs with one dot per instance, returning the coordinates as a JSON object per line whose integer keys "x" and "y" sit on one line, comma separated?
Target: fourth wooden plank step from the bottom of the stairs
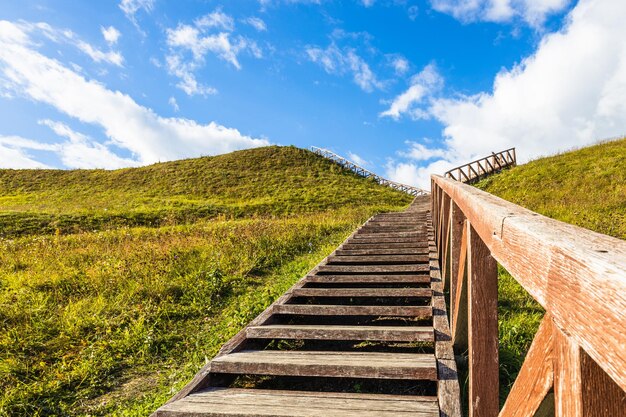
{"x": 421, "y": 312}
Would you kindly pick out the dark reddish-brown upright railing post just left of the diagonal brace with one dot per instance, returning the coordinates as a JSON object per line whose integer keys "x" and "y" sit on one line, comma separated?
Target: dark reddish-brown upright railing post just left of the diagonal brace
{"x": 482, "y": 328}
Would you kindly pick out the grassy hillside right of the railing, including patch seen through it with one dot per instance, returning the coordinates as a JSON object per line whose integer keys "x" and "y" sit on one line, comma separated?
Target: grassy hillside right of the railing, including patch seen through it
{"x": 585, "y": 187}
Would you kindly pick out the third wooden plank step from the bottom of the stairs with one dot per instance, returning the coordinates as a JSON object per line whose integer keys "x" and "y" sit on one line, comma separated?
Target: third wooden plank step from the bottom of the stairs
{"x": 321, "y": 332}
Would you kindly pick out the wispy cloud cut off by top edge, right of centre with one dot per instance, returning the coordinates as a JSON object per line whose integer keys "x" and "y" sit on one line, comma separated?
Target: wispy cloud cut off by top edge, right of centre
{"x": 533, "y": 12}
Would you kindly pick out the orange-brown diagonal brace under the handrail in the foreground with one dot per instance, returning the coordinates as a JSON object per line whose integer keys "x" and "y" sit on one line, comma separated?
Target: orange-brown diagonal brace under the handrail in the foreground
{"x": 535, "y": 379}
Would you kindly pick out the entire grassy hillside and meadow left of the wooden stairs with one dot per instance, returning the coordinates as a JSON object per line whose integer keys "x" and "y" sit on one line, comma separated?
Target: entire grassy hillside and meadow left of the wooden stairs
{"x": 115, "y": 286}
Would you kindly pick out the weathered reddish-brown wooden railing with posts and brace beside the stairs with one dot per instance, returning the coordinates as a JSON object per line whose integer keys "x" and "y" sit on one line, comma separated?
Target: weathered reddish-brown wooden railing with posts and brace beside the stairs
{"x": 578, "y": 276}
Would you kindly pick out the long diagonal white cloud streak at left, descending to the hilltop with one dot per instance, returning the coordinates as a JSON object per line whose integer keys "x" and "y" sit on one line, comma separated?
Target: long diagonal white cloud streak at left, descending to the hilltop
{"x": 148, "y": 136}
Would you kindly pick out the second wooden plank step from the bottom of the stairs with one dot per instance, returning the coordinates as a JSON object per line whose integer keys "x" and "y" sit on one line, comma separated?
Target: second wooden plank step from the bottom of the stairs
{"x": 328, "y": 364}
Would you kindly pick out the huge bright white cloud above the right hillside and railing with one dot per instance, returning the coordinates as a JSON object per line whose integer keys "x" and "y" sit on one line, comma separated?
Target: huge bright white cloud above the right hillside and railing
{"x": 568, "y": 93}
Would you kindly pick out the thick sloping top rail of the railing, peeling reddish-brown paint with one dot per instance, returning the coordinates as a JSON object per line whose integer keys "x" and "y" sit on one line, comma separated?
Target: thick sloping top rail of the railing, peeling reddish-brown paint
{"x": 575, "y": 274}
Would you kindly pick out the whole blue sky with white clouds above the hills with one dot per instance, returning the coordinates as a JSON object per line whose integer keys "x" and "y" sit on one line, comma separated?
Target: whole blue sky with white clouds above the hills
{"x": 405, "y": 87}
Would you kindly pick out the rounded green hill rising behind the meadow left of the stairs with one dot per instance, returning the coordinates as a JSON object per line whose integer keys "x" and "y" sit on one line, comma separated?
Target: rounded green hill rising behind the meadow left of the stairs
{"x": 263, "y": 181}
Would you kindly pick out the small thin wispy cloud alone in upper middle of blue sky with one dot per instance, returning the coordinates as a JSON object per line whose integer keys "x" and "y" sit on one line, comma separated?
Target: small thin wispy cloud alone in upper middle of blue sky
{"x": 341, "y": 61}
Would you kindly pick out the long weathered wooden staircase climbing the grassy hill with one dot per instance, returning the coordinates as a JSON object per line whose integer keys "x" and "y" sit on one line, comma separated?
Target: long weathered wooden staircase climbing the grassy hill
{"x": 365, "y": 333}
